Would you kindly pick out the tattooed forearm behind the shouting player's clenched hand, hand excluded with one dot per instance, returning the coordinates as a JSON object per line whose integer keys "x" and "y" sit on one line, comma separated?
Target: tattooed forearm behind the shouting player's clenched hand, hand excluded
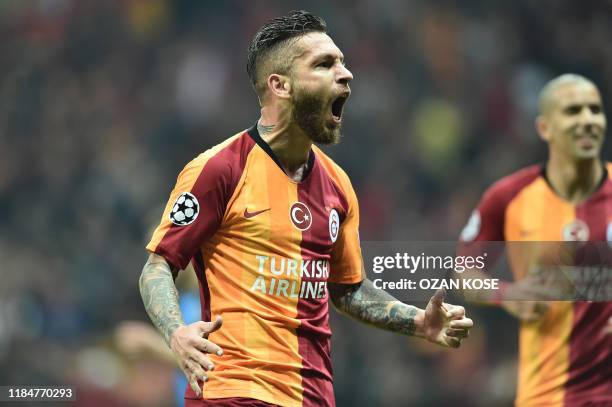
{"x": 365, "y": 303}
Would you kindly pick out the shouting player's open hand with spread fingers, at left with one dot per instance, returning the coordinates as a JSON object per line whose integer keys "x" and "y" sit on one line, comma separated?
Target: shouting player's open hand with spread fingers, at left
{"x": 190, "y": 347}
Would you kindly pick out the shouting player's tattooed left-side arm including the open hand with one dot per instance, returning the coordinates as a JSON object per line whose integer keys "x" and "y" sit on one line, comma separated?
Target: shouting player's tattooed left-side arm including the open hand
{"x": 187, "y": 342}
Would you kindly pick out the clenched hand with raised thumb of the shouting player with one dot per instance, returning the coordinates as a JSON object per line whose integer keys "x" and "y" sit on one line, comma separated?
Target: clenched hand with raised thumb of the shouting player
{"x": 445, "y": 324}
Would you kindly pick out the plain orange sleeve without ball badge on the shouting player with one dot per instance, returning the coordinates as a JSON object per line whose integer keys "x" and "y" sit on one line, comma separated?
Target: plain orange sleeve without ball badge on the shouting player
{"x": 346, "y": 259}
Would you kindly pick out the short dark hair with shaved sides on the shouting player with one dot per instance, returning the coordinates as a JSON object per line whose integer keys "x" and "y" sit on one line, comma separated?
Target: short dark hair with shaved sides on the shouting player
{"x": 275, "y": 35}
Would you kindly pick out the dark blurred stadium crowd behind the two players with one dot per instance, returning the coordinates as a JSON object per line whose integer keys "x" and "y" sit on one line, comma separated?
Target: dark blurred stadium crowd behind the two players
{"x": 103, "y": 102}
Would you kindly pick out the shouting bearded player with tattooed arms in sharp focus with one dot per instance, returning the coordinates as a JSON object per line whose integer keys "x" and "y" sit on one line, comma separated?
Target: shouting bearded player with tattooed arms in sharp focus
{"x": 270, "y": 224}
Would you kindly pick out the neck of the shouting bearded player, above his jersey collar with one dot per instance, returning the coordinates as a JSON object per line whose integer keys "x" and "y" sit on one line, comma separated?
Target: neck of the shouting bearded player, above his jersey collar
{"x": 289, "y": 143}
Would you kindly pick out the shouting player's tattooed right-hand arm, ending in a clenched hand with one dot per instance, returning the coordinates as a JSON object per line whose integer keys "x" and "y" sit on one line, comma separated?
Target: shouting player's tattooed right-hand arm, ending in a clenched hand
{"x": 441, "y": 323}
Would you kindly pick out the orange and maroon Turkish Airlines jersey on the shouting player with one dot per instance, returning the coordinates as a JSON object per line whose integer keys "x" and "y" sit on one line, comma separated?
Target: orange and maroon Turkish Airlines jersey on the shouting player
{"x": 264, "y": 248}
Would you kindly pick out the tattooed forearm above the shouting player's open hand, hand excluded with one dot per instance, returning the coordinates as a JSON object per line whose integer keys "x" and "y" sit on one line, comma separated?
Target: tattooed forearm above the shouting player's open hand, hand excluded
{"x": 160, "y": 296}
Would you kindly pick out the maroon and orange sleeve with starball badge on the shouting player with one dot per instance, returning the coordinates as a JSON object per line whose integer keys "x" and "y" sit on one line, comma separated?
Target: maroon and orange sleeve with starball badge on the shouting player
{"x": 194, "y": 210}
